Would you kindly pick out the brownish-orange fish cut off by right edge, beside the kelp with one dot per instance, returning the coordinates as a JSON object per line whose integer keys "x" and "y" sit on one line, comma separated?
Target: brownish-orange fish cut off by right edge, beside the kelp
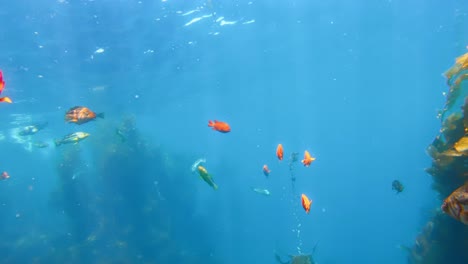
{"x": 456, "y": 204}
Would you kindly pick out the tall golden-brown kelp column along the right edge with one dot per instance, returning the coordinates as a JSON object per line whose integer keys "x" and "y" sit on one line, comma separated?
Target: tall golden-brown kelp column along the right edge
{"x": 443, "y": 239}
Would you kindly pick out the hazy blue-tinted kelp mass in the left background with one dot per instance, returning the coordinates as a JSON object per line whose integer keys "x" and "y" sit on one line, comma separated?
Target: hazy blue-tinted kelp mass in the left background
{"x": 123, "y": 209}
